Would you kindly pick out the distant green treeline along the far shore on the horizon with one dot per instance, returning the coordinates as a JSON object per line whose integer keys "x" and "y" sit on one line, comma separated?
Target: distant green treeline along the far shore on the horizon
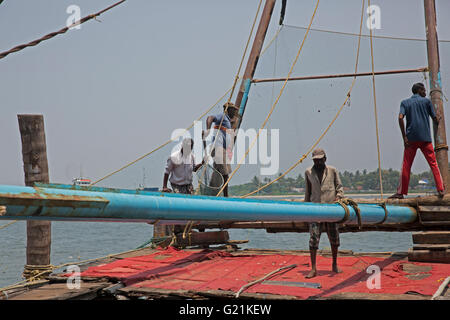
{"x": 359, "y": 181}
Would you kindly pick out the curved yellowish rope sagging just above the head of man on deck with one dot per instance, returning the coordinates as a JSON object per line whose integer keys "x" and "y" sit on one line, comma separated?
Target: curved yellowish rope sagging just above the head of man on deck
{"x": 331, "y": 123}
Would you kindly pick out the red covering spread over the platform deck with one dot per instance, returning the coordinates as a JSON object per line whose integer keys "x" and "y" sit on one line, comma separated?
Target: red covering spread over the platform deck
{"x": 203, "y": 270}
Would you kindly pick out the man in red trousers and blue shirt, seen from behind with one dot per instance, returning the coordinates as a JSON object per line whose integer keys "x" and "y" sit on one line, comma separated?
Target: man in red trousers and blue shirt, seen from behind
{"x": 417, "y": 111}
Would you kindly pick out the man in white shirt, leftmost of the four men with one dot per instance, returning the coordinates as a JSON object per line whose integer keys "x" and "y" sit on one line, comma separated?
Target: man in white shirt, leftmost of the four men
{"x": 179, "y": 168}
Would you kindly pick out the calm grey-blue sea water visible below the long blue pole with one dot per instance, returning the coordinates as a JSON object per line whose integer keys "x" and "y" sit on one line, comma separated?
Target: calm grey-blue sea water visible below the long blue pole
{"x": 76, "y": 241}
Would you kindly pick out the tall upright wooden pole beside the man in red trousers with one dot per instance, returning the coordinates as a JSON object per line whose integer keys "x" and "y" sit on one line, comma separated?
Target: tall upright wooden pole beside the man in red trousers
{"x": 436, "y": 95}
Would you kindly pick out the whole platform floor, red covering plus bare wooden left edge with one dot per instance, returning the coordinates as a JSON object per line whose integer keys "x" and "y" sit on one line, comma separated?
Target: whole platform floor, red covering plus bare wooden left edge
{"x": 222, "y": 272}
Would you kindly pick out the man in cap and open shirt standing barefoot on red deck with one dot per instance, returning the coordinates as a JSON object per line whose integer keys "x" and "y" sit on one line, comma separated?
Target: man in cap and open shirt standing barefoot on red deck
{"x": 322, "y": 185}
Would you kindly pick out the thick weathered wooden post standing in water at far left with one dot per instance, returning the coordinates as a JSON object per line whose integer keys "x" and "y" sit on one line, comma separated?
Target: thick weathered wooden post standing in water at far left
{"x": 35, "y": 166}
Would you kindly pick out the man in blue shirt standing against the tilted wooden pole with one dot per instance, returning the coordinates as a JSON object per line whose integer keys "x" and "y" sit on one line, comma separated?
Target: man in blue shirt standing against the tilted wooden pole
{"x": 222, "y": 151}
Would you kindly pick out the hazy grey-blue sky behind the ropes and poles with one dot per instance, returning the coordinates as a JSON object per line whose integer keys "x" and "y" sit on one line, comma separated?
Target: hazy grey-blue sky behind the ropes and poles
{"x": 114, "y": 90}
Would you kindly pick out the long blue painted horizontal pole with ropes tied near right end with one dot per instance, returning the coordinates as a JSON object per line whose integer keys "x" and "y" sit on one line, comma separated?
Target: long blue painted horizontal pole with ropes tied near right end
{"x": 59, "y": 202}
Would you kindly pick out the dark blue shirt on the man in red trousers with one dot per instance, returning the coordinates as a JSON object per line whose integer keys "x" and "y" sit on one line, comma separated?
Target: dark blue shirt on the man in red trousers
{"x": 417, "y": 111}
